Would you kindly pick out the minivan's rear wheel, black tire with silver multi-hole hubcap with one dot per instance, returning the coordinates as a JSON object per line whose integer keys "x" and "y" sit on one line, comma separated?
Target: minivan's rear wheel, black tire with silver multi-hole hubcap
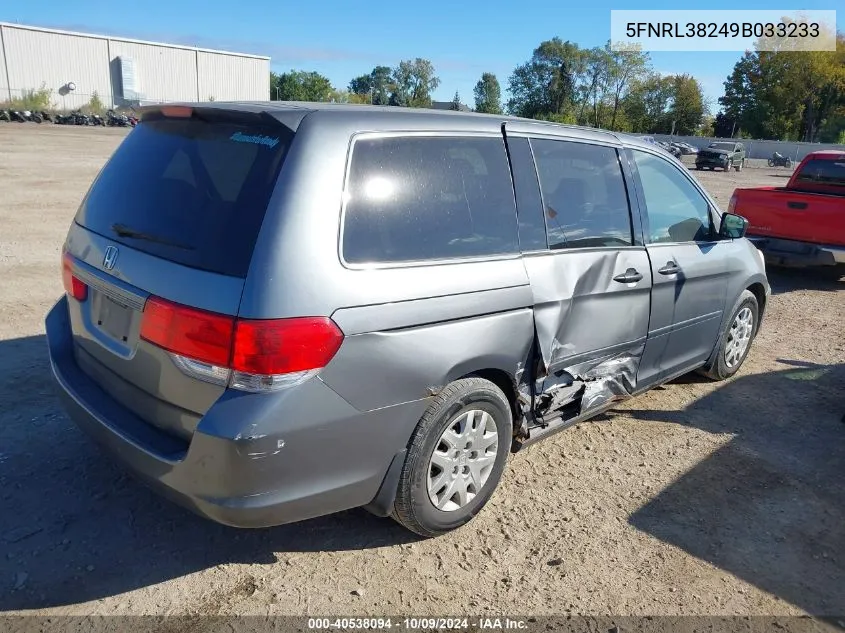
{"x": 455, "y": 458}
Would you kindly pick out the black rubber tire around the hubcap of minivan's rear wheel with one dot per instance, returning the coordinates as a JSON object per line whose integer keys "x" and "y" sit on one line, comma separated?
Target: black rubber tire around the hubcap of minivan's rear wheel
{"x": 413, "y": 508}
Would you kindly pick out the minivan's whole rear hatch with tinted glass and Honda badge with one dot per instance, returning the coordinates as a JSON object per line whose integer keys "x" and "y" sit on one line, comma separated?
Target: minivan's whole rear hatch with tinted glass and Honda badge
{"x": 162, "y": 243}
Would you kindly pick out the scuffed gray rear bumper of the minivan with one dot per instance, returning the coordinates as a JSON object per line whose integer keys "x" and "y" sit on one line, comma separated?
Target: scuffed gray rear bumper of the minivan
{"x": 255, "y": 460}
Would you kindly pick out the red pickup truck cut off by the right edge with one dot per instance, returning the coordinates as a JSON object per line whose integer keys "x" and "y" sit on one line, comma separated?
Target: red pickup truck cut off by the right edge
{"x": 803, "y": 223}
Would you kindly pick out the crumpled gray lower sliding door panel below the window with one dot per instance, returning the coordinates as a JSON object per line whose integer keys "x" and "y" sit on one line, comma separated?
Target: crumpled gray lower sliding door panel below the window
{"x": 590, "y": 329}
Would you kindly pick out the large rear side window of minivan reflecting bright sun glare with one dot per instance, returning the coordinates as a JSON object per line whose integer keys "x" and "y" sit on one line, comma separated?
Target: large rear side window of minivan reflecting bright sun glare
{"x": 424, "y": 198}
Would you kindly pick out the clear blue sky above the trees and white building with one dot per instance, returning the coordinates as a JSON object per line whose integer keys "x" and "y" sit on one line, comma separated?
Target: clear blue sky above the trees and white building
{"x": 342, "y": 39}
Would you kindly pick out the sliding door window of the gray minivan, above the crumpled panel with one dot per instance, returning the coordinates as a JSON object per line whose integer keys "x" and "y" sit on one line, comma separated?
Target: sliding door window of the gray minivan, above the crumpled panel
{"x": 584, "y": 194}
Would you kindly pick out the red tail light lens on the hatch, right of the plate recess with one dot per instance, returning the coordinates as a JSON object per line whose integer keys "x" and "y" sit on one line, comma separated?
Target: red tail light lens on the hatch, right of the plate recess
{"x": 197, "y": 334}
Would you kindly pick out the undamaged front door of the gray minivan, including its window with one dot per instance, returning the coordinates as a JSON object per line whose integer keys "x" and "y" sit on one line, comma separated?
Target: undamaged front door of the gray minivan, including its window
{"x": 689, "y": 268}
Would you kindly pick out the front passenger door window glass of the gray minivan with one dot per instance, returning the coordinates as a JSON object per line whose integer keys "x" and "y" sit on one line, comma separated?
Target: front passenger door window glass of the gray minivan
{"x": 677, "y": 212}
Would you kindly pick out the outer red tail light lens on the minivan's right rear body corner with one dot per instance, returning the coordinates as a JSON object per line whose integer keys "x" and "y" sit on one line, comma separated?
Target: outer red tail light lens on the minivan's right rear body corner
{"x": 284, "y": 346}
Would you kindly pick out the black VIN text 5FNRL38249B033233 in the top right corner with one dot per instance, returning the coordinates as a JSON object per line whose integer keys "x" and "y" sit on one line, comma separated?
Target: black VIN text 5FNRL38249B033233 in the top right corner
{"x": 721, "y": 30}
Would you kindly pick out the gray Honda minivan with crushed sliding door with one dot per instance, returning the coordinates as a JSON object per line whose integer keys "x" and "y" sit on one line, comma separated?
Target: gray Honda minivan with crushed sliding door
{"x": 284, "y": 311}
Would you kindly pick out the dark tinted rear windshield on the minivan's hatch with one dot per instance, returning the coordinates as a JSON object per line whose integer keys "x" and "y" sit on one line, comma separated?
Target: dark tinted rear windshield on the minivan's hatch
{"x": 189, "y": 190}
